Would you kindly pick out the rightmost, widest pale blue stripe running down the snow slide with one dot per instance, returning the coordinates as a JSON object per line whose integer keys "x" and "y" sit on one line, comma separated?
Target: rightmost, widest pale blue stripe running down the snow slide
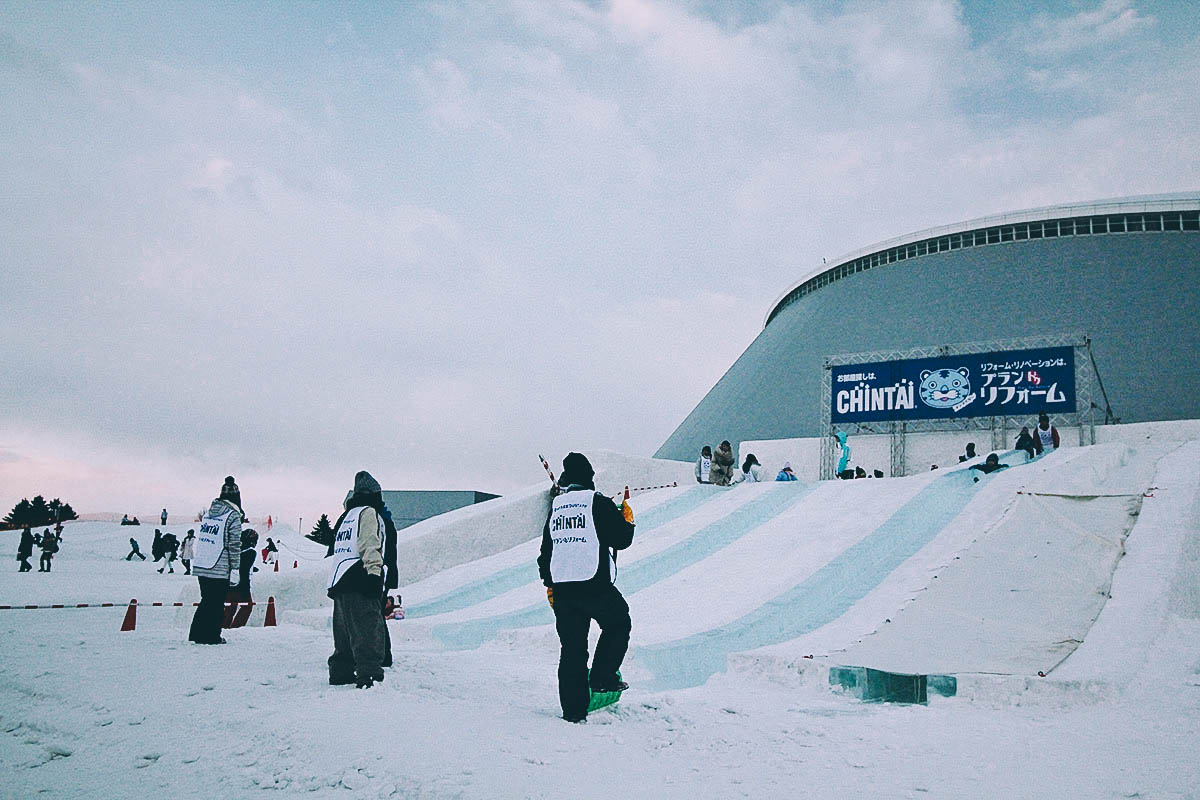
{"x": 823, "y": 598}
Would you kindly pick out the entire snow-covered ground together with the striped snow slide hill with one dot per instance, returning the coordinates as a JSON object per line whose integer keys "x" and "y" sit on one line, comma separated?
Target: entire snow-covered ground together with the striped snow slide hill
{"x": 1051, "y": 609}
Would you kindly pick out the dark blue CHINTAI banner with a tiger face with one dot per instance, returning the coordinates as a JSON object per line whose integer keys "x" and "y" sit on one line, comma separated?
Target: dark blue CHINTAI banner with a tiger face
{"x": 1010, "y": 383}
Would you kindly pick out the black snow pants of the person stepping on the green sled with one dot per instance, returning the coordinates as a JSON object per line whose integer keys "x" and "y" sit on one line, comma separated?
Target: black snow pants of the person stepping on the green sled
{"x": 575, "y": 607}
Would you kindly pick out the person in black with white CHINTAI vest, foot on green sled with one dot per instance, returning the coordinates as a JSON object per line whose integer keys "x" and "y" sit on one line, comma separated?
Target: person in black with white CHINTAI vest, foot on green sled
{"x": 578, "y": 564}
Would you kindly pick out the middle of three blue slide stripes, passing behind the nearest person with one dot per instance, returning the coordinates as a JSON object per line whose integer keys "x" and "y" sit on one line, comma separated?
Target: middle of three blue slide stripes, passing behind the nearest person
{"x": 706, "y": 542}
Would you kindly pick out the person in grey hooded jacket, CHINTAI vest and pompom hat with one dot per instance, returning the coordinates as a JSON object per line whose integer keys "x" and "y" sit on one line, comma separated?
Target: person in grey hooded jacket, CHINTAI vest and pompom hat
{"x": 215, "y": 557}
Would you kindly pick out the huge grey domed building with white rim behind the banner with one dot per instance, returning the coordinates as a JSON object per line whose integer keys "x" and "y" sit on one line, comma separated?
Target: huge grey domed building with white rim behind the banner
{"x": 1124, "y": 272}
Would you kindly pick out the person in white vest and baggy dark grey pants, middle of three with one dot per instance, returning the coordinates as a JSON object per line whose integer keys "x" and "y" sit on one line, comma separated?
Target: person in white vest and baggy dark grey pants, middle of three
{"x": 357, "y": 587}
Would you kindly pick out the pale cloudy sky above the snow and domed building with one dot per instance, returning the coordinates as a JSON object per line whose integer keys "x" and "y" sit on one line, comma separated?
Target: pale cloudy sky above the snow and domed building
{"x": 290, "y": 242}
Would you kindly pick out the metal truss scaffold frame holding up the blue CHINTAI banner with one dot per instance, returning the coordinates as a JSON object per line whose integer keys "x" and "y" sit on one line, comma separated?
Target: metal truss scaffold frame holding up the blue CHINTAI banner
{"x": 1084, "y": 417}
